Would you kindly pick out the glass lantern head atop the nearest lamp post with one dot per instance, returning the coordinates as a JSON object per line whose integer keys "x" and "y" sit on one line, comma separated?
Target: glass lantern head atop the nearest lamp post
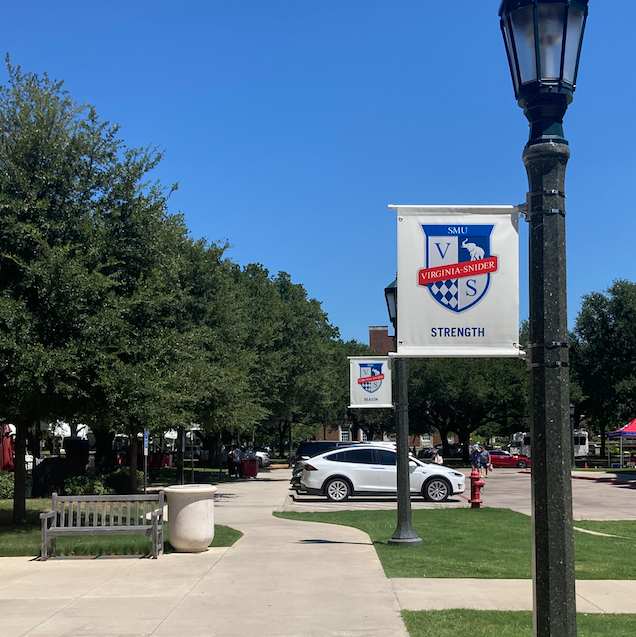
{"x": 543, "y": 41}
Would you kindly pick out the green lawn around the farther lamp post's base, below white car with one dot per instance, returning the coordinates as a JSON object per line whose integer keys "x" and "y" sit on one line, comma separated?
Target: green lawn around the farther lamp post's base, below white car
{"x": 491, "y": 543}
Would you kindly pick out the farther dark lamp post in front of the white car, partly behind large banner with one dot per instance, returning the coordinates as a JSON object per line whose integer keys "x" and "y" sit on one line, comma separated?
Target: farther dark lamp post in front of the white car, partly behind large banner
{"x": 404, "y": 533}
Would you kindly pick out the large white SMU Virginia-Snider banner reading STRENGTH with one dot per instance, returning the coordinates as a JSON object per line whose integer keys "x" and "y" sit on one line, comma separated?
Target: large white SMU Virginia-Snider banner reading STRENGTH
{"x": 458, "y": 281}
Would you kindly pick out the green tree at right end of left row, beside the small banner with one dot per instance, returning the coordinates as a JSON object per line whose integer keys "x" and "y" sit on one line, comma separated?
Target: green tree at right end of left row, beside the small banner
{"x": 294, "y": 346}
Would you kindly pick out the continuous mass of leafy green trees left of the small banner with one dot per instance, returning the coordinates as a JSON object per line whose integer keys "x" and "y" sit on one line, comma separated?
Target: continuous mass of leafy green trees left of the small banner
{"x": 112, "y": 315}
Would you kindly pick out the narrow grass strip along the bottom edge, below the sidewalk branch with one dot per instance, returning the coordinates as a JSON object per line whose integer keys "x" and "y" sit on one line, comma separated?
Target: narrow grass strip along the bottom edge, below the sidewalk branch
{"x": 473, "y": 623}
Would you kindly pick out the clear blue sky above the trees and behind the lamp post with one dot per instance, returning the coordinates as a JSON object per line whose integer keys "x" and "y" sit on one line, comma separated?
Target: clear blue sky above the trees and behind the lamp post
{"x": 290, "y": 125}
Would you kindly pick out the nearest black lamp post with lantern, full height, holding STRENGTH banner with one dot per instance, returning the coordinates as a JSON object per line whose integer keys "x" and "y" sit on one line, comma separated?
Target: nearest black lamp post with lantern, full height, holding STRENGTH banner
{"x": 543, "y": 41}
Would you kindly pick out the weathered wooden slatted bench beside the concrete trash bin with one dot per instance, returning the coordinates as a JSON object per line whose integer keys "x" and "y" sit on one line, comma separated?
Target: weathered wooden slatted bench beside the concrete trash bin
{"x": 104, "y": 515}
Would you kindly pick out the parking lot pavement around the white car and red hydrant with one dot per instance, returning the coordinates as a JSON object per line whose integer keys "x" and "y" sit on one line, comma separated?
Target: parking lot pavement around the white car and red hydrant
{"x": 593, "y": 499}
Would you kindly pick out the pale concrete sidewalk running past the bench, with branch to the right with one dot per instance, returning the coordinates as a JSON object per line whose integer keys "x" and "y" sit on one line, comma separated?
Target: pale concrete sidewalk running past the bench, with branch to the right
{"x": 281, "y": 578}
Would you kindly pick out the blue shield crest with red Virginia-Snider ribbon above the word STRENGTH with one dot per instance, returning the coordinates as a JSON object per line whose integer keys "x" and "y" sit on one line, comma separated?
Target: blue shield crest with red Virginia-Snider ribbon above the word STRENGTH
{"x": 459, "y": 264}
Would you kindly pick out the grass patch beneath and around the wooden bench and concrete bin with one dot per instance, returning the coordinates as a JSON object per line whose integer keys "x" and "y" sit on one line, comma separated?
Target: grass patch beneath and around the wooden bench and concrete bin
{"x": 25, "y": 540}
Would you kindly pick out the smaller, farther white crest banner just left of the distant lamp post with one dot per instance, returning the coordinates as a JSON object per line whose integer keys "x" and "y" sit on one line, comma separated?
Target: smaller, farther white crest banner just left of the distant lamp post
{"x": 370, "y": 381}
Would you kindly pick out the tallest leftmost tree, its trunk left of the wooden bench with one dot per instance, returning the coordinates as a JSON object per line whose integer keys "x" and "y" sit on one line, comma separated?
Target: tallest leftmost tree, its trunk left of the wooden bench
{"x": 56, "y": 162}
